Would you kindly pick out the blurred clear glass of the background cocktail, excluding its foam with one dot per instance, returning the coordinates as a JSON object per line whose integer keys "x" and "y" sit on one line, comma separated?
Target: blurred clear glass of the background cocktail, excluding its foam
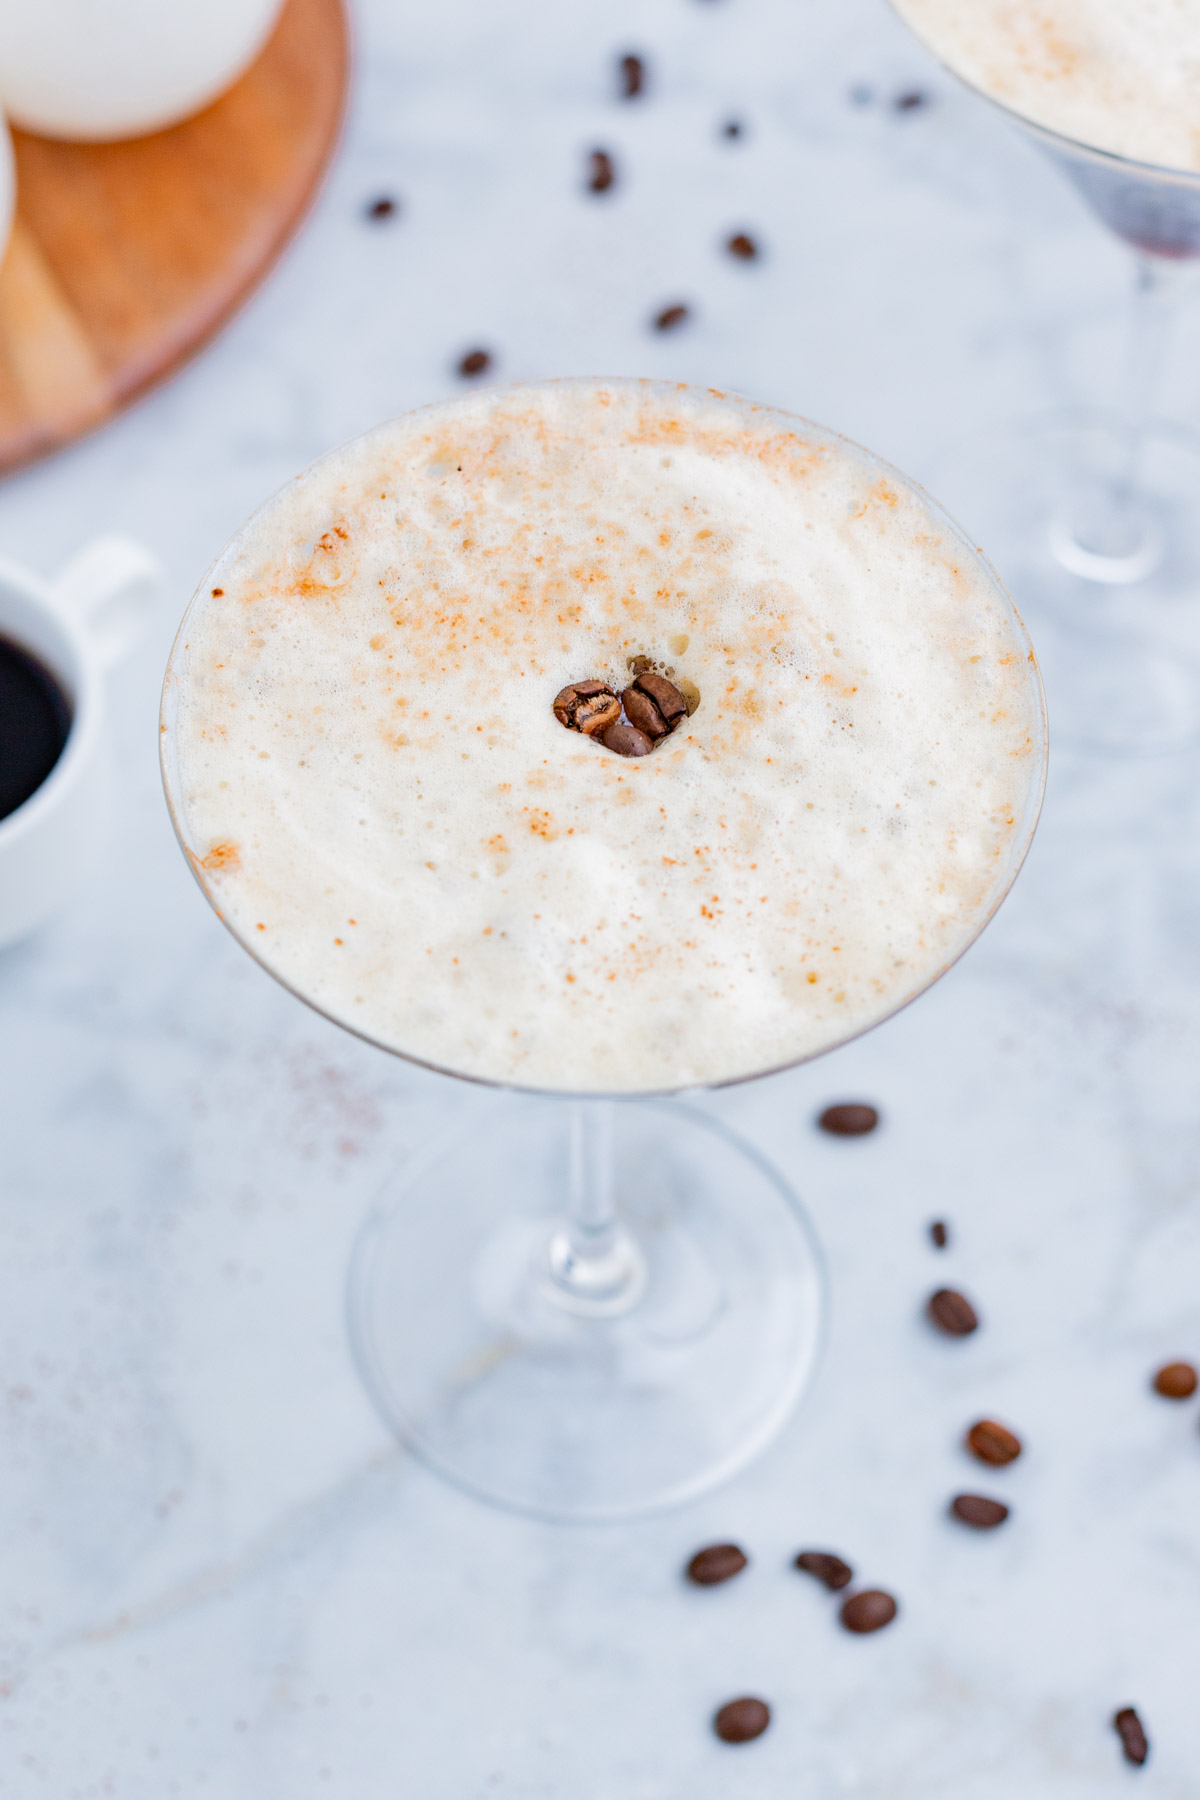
{"x": 1091, "y": 516}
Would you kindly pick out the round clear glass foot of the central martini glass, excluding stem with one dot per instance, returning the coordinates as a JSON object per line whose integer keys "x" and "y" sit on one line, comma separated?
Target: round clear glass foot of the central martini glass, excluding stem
{"x": 476, "y": 1360}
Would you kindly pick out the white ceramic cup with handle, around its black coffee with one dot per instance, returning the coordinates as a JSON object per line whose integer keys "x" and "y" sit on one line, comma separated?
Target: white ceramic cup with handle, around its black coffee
{"x": 76, "y": 627}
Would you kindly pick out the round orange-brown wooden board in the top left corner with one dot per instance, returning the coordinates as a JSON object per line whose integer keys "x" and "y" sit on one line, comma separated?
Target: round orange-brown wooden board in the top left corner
{"x": 127, "y": 258}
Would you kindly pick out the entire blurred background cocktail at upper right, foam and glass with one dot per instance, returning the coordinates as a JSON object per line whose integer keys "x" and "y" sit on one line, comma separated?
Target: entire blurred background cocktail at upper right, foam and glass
{"x": 1091, "y": 514}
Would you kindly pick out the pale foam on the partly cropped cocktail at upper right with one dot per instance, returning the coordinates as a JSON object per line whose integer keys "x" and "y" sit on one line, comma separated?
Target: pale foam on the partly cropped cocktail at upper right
{"x": 1115, "y": 75}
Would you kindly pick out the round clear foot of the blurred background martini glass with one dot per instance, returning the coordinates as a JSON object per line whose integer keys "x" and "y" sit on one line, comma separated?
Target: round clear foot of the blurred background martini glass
{"x": 1113, "y": 606}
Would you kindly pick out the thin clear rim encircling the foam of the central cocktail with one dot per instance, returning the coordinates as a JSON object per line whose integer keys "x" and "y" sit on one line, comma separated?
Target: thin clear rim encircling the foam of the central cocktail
{"x": 1017, "y": 854}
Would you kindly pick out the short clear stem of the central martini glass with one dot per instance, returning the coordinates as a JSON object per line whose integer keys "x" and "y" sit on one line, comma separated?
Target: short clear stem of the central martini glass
{"x": 595, "y": 1263}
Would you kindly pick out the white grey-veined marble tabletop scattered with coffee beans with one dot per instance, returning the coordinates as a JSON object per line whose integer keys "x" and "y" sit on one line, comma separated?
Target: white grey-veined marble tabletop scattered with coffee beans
{"x": 217, "y": 1576}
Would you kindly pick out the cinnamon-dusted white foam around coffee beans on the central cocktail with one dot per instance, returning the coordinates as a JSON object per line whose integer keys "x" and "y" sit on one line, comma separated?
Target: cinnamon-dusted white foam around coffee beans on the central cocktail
{"x": 382, "y": 805}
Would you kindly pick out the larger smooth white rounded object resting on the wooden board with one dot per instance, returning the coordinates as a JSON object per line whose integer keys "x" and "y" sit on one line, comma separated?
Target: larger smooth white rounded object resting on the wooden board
{"x": 103, "y": 69}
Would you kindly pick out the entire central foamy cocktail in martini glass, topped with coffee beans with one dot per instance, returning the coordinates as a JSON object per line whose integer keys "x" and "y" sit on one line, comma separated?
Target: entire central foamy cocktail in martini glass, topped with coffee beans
{"x": 600, "y": 742}
